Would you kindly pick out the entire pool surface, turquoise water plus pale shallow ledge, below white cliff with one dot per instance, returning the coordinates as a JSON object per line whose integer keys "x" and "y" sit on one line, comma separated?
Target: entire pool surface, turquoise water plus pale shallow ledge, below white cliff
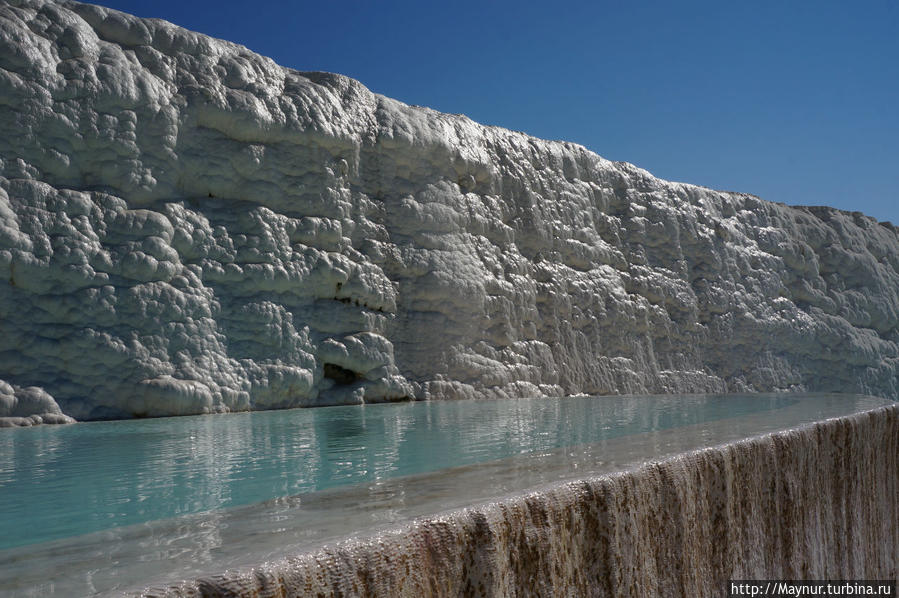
{"x": 110, "y": 506}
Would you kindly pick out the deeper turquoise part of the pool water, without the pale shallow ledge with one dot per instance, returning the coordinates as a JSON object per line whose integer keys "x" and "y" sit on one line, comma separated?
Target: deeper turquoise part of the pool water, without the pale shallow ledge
{"x": 61, "y": 481}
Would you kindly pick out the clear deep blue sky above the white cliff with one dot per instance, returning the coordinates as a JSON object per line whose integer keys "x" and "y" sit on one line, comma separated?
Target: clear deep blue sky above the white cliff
{"x": 794, "y": 101}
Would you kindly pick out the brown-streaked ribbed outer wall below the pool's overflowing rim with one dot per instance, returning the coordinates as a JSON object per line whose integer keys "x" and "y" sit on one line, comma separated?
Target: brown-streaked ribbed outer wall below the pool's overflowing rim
{"x": 816, "y": 502}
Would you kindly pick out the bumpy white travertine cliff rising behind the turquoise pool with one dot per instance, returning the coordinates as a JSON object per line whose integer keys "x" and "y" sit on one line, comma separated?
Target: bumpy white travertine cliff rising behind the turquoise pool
{"x": 187, "y": 227}
